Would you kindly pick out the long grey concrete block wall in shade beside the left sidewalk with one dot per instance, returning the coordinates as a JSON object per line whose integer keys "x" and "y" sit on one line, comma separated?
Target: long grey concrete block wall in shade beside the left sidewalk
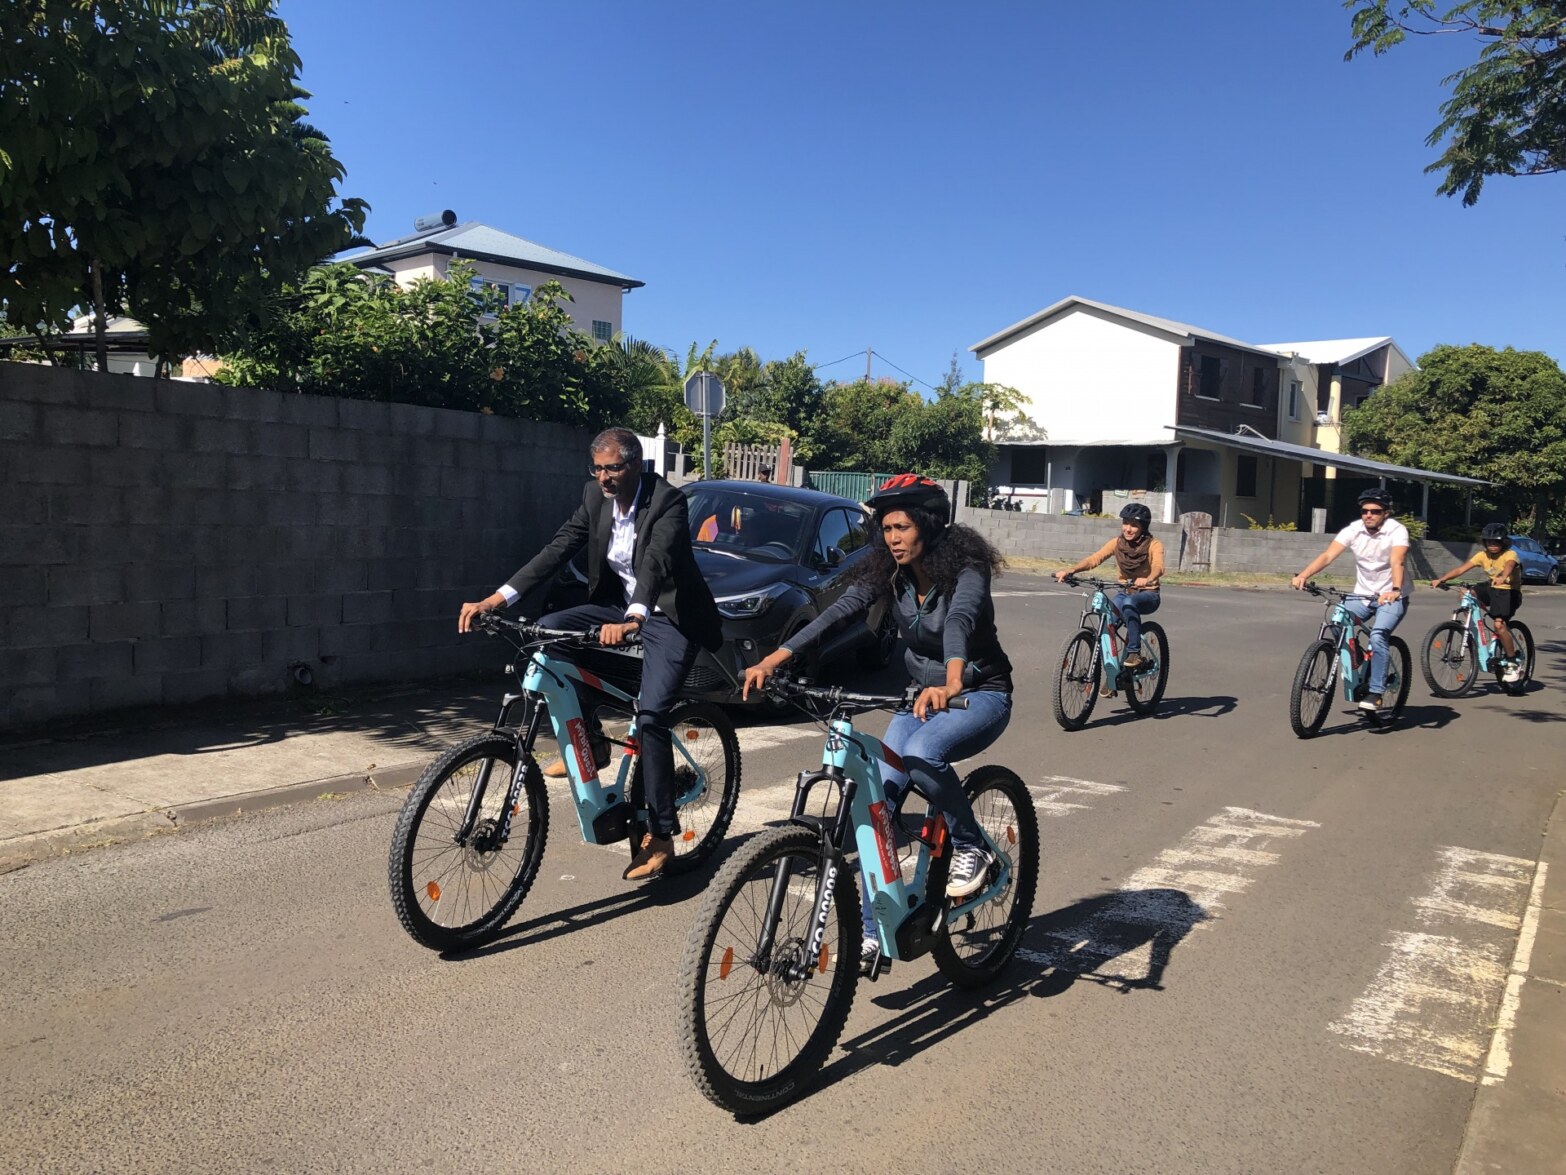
{"x": 167, "y": 543}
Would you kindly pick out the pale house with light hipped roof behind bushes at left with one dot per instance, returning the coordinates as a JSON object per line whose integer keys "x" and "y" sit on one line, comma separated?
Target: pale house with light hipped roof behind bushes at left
{"x": 513, "y": 266}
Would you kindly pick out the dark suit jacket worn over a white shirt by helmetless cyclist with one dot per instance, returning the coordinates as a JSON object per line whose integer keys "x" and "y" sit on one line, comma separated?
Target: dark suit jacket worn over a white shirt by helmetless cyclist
{"x": 663, "y": 562}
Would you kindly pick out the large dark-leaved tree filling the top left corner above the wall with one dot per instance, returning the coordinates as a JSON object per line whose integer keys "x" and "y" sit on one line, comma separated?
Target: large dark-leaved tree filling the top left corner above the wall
{"x": 154, "y": 161}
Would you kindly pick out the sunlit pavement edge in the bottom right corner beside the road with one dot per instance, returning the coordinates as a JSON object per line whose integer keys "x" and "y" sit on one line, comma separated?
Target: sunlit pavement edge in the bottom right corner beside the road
{"x": 1520, "y": 1124}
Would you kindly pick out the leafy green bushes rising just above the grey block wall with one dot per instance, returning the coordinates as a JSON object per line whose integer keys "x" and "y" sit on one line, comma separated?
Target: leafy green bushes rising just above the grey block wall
{"x": 436, "y": 342}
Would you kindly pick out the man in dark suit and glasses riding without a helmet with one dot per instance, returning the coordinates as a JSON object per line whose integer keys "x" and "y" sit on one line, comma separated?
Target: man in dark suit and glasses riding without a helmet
{"x": 641, "y": 579}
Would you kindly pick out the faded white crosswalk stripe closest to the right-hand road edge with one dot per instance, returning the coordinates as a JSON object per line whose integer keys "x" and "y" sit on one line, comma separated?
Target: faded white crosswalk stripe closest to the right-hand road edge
{"x": 1434, "y": 999}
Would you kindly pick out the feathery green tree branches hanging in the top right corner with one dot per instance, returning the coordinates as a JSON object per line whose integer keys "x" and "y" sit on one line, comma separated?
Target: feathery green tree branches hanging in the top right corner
{"x": 1507, "y": 114}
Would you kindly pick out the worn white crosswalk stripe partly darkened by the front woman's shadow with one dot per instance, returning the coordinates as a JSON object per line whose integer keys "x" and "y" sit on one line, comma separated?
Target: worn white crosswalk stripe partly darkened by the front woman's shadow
{"x": 1125, "y": 939}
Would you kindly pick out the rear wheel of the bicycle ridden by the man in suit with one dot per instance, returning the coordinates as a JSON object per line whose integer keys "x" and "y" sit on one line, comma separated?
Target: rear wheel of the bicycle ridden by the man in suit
{"x": 707, "y": 781}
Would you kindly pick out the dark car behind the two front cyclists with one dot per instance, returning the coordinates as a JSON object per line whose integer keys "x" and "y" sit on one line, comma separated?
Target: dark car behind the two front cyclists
{"x": 774, "y": 557}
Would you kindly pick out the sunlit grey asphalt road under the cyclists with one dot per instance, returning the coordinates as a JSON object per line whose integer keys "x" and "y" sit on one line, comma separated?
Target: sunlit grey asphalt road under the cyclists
{"x": 1316, "y": 994}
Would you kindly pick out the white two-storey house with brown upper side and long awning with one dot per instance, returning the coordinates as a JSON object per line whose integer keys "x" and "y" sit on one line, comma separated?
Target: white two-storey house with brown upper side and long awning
{"x": 1133, "y": 407}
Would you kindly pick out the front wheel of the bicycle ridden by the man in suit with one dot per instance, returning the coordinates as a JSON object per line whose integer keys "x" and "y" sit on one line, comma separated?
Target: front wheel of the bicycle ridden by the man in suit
{"x": 416, "y": 900}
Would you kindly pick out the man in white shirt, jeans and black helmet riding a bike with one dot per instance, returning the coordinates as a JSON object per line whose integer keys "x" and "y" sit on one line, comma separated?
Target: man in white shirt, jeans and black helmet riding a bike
{"x": 1380, "y": 546}
